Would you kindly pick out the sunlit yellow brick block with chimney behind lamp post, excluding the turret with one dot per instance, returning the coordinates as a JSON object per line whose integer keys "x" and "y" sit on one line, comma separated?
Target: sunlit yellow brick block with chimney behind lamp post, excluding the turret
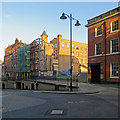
{"x": 61, "y": 55}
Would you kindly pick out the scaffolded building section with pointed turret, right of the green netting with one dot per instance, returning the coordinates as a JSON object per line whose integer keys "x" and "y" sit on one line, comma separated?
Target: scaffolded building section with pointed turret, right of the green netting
{"x": 40, "y": 55}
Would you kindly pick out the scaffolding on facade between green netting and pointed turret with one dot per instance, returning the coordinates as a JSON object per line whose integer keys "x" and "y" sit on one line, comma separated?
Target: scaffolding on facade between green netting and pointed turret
{"x": 38, "y": 57}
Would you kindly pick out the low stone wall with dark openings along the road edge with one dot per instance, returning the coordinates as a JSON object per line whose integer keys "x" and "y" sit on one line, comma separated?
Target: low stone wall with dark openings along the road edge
{"x": 31, "y": 85}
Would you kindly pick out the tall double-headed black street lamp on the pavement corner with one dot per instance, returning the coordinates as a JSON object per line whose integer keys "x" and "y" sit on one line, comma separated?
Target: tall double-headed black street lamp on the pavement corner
{"x": 63, "y": 17}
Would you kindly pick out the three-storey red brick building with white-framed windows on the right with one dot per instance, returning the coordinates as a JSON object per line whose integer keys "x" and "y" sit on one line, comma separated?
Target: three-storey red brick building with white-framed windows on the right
{"x": 104, "y": 47}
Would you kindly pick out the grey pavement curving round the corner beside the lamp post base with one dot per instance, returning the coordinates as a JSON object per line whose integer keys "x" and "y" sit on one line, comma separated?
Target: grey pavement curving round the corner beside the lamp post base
{"x": 84, "y": 88}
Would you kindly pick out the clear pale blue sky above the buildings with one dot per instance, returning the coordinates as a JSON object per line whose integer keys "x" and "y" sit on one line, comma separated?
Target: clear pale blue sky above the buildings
{"x": 27, "y": 20}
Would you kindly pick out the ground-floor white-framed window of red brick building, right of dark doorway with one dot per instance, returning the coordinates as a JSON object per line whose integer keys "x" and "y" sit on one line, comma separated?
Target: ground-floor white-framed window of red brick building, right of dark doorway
{"x": 114, "y": 69}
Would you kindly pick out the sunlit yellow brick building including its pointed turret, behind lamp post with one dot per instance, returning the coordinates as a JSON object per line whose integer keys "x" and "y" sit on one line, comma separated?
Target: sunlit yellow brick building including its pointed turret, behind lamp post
{"x": 56, "y": 55}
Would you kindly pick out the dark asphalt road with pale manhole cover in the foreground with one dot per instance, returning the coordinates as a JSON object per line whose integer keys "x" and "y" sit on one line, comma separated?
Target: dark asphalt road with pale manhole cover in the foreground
{"x": 34, "y": 104}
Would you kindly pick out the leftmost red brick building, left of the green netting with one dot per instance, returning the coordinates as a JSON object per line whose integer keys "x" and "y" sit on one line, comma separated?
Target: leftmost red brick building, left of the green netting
{"x": 10, "y": 59}
